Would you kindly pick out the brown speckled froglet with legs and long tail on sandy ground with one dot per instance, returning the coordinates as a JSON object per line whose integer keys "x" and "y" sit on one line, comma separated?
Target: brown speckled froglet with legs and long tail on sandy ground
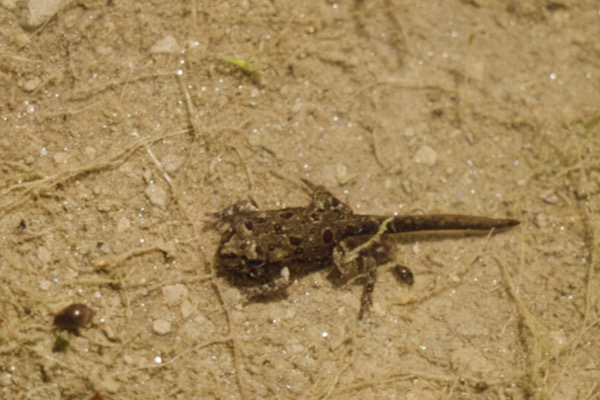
{"x": 262, "y": 251}
